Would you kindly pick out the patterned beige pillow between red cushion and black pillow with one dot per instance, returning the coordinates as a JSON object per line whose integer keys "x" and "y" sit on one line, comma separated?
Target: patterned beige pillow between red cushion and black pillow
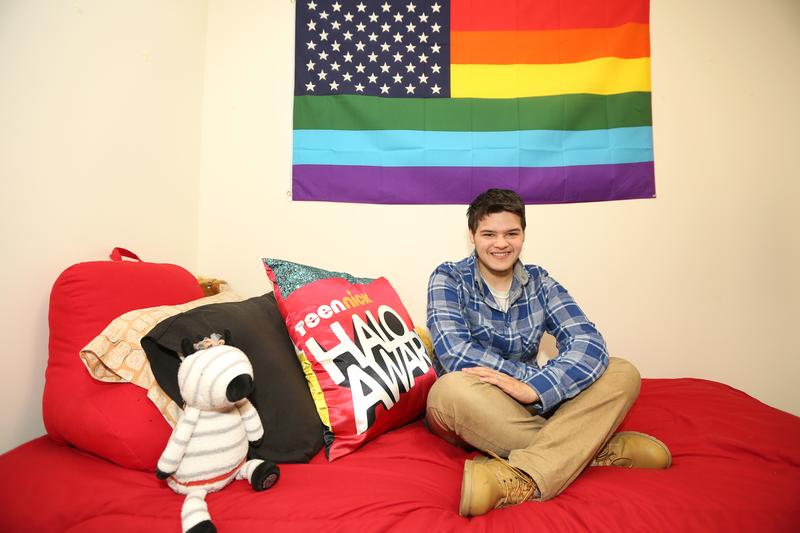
{"x": 116, "y": 355}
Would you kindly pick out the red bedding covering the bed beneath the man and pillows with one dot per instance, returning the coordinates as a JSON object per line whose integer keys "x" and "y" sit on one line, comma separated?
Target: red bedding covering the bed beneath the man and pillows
{"x": 736, "y": 467}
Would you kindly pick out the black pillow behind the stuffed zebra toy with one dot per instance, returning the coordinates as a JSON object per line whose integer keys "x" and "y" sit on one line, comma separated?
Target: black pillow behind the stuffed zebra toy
{"x": 293, "y": 432}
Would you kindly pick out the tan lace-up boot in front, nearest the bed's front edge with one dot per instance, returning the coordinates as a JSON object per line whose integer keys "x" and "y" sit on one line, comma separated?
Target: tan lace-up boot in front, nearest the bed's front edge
{"x": 491, "y": 483}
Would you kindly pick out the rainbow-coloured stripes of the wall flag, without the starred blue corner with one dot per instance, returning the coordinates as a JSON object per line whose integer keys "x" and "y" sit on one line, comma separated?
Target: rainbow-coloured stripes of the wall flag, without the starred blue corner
{"x": 548, "y": 97}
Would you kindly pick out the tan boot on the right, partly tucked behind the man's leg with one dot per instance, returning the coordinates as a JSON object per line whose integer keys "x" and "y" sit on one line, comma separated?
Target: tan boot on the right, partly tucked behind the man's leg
{"x": 633, "y": 450}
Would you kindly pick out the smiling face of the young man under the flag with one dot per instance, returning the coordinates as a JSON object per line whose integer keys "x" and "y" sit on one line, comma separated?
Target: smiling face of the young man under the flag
{"x": 498, "y": 242}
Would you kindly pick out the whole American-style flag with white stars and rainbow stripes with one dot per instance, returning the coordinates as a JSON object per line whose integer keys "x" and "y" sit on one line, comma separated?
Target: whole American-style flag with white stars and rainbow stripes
{"x": 432, "y": 102}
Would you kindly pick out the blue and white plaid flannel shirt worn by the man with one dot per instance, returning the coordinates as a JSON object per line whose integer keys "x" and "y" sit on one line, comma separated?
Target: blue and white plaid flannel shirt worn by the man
{"x": 469, "y": 329}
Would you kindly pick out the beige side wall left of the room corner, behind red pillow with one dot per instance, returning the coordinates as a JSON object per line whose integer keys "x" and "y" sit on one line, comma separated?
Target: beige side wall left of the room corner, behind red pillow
{"x": 100, "y": 109}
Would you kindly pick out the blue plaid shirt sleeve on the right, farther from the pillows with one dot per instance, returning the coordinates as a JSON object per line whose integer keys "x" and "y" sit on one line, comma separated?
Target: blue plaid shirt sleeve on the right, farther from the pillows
{"x": 582, "y": 354}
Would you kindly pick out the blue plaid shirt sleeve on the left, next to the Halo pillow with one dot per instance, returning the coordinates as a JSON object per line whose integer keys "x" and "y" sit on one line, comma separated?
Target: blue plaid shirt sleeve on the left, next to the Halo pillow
{"x": 450, "y": 331}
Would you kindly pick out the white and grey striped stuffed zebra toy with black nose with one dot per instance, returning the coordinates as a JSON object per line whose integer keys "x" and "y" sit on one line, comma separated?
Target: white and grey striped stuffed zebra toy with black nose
{"x": 208, "y": 446}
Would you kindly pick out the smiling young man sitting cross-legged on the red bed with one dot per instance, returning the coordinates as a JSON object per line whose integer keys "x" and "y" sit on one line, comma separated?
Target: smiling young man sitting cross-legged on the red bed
{"x": 540, "y": 426}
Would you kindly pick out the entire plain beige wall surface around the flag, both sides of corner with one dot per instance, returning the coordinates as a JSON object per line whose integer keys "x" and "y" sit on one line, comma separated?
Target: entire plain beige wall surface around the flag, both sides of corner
{"x": 702, "y": 281}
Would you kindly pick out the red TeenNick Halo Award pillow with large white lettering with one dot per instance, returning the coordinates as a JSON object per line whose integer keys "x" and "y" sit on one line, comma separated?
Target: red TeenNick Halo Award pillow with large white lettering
{"x": 367, "y": 368}
